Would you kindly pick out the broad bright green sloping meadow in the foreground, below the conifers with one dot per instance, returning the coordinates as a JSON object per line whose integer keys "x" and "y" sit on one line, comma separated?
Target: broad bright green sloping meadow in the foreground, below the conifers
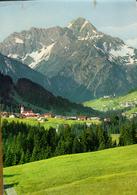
{"x": 106, "y": 172}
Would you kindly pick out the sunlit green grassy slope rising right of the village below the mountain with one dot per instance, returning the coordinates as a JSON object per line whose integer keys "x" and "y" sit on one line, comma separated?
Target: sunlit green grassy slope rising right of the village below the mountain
{"x": 103, "y": 104}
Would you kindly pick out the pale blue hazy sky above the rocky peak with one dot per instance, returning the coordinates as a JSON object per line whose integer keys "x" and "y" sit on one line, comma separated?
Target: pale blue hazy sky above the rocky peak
{"x": 115, "y": 17}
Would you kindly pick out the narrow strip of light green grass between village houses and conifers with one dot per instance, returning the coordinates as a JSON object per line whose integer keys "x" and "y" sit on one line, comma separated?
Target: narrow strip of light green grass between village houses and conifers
{"x": 52, "y": 122}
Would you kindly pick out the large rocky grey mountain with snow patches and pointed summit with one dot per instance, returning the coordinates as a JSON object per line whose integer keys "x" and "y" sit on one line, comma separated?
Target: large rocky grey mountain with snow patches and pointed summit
{"x": 80, "y": 62}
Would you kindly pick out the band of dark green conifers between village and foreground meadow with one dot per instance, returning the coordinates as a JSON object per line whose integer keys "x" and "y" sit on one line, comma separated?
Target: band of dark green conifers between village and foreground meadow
{"x": 24, "y": 143}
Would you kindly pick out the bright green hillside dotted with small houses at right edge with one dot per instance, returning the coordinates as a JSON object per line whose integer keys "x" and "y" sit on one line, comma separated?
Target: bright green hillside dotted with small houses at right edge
{"x": 127, "y": 103}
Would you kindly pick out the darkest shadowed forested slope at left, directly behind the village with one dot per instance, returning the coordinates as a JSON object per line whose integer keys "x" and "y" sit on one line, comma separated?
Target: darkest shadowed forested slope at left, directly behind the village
{"x": 34, "y": 96}
